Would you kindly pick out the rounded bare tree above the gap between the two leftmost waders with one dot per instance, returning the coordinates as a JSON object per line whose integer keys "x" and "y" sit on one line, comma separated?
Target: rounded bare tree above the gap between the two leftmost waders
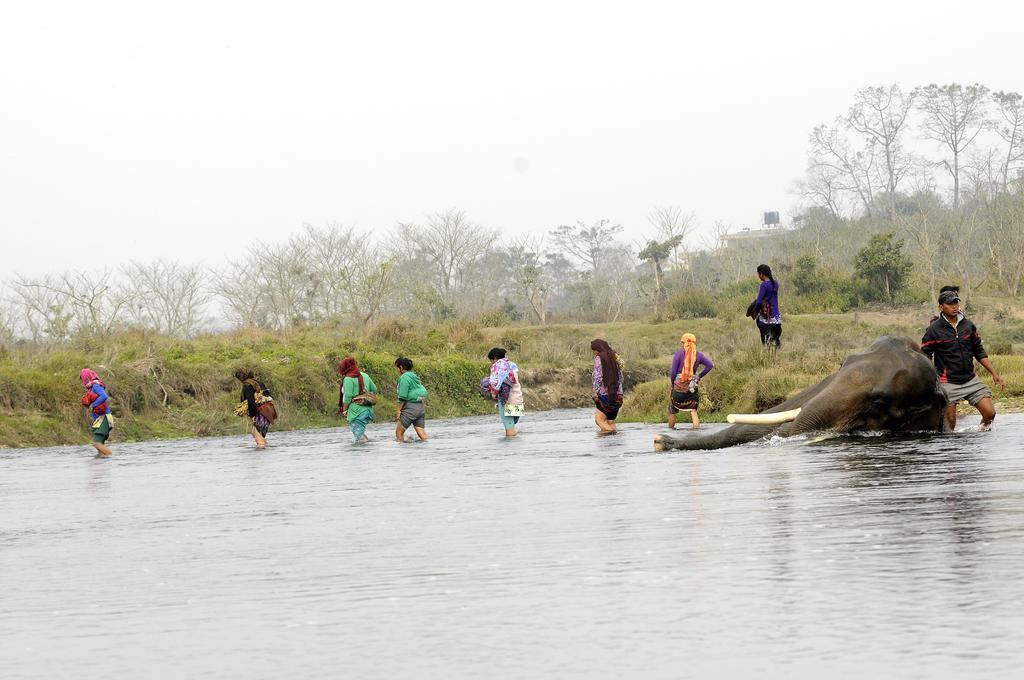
{"x": 166, "y": 296}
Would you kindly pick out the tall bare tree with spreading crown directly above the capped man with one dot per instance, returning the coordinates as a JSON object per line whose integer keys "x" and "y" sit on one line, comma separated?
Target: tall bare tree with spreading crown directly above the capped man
{"x": 954, "y": 116}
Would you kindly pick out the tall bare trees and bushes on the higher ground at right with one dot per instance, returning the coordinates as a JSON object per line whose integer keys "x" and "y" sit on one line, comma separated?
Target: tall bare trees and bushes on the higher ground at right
{"x": 940, "y": 168}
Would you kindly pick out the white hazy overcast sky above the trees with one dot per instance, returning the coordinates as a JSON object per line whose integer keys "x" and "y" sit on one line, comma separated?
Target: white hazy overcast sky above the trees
{"x": 189, "y": 130}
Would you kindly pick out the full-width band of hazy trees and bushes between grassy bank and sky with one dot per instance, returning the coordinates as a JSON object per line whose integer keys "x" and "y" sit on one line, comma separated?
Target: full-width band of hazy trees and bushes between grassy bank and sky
{"x": 905, "y": 192}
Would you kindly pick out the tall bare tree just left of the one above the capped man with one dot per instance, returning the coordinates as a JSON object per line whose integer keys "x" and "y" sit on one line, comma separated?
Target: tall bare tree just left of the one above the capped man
{"x": 880, "y": 114}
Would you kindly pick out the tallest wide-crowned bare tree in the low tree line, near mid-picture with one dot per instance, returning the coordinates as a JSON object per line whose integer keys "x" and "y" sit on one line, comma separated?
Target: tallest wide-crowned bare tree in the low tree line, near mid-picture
{"x": 450, "y": 244}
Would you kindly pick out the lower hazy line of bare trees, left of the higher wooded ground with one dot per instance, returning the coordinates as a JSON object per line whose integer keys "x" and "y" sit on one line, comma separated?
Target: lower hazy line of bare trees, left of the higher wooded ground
{"x": 441, "y": 269}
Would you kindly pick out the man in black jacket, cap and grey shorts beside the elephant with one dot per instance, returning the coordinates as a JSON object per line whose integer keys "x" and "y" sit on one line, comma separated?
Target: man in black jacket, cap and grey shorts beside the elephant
{"x": 952, "y": 342}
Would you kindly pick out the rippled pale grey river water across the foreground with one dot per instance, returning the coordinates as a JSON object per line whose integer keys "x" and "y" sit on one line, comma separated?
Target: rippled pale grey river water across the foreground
{"x": 557, "y": 555}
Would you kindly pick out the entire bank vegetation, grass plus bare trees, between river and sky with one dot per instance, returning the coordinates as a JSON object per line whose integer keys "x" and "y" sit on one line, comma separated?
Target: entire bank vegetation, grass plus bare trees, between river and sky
{"x": 908, "y": 191}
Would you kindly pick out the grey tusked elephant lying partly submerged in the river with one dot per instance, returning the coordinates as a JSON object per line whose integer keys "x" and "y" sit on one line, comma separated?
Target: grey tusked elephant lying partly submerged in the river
{"x": 890, "y": 387}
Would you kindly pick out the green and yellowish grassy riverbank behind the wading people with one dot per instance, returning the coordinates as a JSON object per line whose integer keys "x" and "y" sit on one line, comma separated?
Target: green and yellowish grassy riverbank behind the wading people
{"x": 164, "y": 389}
